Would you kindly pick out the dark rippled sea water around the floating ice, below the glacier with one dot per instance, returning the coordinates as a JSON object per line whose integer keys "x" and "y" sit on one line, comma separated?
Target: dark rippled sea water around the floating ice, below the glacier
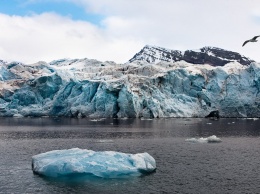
{"x": 231, "y": 166}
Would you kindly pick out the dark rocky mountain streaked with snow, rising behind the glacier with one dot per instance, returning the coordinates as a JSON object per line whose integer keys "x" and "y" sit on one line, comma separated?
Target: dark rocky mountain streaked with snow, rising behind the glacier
{"x": 206, "y": 55}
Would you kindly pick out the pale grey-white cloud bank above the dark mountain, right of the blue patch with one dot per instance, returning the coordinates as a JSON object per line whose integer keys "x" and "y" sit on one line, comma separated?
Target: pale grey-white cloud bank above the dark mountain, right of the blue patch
{"x": 182, "y": 24}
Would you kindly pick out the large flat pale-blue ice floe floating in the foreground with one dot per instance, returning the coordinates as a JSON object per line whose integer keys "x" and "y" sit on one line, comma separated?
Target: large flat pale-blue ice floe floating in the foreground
{"x": 106, "y": 164}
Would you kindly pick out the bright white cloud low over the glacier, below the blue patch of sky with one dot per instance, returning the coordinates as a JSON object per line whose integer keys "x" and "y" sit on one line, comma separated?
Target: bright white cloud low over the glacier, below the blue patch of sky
{"x": 50, "y": 36}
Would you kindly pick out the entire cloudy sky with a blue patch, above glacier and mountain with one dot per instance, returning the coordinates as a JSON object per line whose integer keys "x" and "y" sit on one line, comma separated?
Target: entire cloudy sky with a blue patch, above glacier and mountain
{"x": 114, "y": 30}
